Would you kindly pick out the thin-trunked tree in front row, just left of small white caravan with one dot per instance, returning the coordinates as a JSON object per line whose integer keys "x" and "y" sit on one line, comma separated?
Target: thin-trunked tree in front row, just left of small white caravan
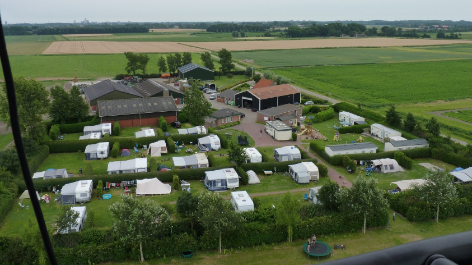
{"x": 217, "y": 214}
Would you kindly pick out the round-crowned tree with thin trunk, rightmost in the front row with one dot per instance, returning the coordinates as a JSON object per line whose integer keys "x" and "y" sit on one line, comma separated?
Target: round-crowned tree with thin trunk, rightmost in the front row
{"x": 439, "y": 190}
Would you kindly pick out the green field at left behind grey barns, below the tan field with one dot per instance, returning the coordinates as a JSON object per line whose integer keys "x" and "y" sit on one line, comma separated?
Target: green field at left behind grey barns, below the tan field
{"x": 88, "y": 66}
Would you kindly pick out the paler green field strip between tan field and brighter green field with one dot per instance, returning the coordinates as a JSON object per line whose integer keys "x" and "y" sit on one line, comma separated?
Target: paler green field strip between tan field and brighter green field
{"x": 341, "y": 56}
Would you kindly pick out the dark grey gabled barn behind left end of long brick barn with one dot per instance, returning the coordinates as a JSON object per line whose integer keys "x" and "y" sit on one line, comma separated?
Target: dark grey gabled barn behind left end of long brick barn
{"x": 108, "y": 90}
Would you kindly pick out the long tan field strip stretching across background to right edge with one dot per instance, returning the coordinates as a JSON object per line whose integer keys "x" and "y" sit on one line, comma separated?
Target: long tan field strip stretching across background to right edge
{"x": 87, "y": 47}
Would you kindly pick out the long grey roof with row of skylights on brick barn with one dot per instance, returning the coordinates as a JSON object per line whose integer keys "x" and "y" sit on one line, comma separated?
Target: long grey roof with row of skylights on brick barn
{"x": 135, "y": 106}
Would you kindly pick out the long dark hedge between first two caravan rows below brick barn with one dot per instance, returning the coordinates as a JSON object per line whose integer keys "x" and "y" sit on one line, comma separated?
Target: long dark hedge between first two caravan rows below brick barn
{"x": 125, "y": 142}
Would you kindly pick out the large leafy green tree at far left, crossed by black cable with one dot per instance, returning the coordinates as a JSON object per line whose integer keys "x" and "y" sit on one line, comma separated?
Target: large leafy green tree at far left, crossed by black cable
{"x": 32, "y": 100}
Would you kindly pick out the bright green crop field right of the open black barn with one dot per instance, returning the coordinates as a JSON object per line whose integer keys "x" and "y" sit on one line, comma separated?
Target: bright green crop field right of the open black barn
{"x": 381, "y": 84}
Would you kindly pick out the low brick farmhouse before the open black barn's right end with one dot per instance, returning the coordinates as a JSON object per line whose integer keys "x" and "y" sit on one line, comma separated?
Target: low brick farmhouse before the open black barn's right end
{"x": 288, "y": 114}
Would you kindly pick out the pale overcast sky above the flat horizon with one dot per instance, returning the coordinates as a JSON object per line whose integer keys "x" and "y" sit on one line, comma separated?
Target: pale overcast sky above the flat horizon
{"x": 43, "y": 11}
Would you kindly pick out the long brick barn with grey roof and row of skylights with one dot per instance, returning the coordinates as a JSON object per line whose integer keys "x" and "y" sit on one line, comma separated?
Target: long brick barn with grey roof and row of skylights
{"x": 138, "y": 112}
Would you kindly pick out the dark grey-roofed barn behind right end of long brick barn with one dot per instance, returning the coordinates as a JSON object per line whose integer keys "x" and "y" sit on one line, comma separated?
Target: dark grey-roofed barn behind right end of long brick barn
{"x": 151, "y": 88}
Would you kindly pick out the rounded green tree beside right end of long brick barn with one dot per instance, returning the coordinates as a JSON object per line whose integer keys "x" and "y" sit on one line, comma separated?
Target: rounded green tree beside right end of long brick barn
{"x": 196, "y": 108}
